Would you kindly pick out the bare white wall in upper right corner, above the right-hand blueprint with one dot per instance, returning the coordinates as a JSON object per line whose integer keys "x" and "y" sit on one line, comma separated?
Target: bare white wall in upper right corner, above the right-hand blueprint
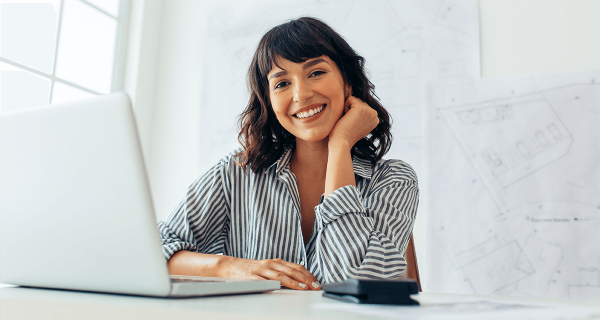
{"x": 521, "y": 37}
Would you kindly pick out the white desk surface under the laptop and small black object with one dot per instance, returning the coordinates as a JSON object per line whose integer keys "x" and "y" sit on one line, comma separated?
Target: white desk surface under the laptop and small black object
{"x": 29, "y": 303}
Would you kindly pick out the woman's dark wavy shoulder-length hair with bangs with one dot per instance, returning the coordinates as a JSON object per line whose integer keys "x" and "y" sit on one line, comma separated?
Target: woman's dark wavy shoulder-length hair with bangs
{"x": 262, "y": 137}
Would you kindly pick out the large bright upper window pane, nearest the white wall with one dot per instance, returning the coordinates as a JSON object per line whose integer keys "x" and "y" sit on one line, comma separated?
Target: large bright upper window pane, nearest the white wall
{"x": 86, "y": 47}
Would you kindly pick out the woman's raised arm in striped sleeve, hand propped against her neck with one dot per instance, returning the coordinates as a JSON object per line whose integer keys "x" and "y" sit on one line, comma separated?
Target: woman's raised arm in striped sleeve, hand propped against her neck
{"x": 362, "y": 237}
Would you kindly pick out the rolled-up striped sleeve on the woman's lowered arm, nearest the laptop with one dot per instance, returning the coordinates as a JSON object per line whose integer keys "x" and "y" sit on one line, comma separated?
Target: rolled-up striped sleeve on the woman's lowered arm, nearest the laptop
{"x": 198, "y": 222}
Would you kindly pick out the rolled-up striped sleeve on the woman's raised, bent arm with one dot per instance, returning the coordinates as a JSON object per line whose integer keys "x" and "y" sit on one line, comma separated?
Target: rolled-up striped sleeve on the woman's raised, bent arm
{"x": 365, "y": 236}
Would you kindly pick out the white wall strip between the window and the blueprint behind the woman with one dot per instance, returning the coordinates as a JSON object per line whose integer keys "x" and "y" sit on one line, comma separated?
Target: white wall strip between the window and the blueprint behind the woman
{"x": 163, "y": 80}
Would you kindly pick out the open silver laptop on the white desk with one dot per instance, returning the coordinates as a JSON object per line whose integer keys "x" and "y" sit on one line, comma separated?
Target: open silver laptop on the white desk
{"x": 75, "y": 206}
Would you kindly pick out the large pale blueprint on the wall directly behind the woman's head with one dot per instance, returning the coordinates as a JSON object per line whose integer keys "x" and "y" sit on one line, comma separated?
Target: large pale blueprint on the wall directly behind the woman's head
{"x": 406, "y": 44}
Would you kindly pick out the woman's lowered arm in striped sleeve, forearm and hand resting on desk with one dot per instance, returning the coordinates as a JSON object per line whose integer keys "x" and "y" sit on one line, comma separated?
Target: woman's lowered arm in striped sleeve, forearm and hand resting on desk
{"x": 193, "y": 233}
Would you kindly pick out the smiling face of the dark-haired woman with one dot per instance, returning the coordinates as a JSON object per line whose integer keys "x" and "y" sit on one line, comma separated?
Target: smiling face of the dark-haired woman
{"x": 308, "y": 97}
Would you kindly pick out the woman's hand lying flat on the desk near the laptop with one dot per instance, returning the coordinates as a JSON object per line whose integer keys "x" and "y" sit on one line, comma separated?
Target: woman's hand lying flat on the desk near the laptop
{"x": 291, "y": 275}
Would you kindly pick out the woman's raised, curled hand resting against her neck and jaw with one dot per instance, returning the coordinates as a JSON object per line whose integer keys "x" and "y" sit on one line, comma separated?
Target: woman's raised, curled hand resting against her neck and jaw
{"x": 358, "y": 120}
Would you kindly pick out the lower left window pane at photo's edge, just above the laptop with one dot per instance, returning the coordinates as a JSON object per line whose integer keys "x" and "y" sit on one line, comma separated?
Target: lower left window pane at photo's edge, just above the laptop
{"x": 21, "y": 90}
